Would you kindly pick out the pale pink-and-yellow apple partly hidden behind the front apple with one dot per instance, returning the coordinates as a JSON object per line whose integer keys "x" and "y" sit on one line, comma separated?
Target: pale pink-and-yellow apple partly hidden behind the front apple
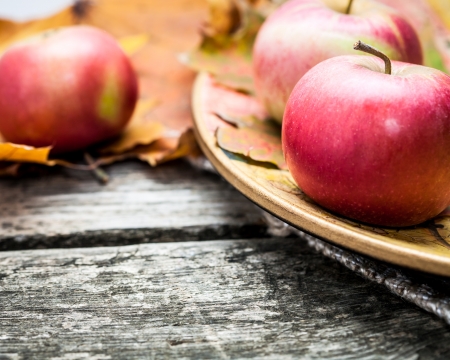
{"x": 302, "y": 33}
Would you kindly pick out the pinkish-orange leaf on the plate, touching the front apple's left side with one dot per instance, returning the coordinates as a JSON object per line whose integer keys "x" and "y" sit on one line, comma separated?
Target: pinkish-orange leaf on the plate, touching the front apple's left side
{"x": 256, "y": 145}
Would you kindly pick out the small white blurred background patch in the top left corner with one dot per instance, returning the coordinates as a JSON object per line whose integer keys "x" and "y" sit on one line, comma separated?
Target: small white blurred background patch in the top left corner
{"x": 23, "y": 10}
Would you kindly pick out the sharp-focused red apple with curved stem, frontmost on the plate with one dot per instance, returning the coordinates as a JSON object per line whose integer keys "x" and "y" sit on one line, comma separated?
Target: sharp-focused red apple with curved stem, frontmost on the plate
{"x": 371, "y": 146}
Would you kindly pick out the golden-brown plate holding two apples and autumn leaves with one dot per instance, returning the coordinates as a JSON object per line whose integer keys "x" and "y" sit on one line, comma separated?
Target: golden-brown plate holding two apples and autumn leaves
{"x": 425, "y": 247}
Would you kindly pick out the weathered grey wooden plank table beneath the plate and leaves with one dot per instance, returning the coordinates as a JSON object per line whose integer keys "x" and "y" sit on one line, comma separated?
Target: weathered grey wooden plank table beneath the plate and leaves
{"x": 173, "y": 262}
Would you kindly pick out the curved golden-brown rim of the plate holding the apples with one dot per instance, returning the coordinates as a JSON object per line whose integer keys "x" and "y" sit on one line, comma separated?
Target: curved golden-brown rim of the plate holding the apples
{"x": 340, "y": 236}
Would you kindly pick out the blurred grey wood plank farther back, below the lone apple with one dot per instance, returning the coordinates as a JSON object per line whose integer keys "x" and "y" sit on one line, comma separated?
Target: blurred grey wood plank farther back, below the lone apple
{"x": 140, "y": 204}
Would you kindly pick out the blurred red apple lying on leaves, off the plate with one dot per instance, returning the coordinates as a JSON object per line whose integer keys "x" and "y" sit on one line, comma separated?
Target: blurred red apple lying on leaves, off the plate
{"x": 68, "y": 88}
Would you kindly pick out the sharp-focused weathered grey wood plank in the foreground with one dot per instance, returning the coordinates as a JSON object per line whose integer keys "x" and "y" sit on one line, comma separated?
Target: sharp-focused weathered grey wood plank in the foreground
{"x": 271, "y": 298}
